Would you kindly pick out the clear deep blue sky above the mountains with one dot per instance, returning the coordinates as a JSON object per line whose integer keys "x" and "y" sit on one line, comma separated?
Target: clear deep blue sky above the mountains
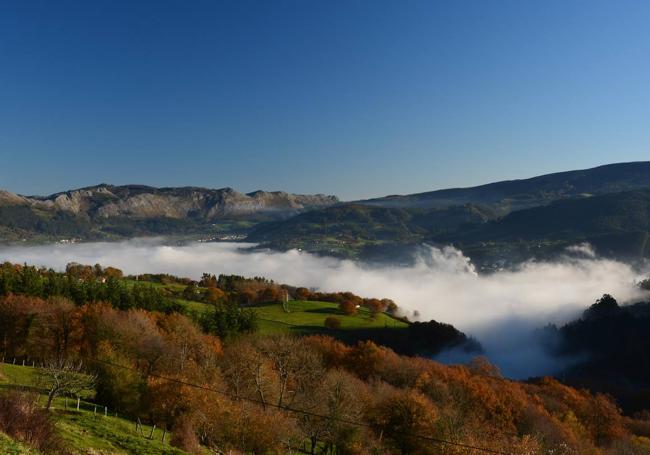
{"x": 355, "y": 98}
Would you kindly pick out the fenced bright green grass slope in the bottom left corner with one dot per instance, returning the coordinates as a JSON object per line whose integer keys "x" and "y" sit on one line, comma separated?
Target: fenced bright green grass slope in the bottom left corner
{"x": 84, "y": 431}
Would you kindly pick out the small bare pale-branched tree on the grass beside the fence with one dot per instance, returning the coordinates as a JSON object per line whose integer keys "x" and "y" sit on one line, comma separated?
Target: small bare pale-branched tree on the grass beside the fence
{"x": 64, "y": 376}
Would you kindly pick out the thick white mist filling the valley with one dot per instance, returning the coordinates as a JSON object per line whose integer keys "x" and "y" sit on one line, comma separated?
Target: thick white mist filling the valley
{"x": 500, "y": 309}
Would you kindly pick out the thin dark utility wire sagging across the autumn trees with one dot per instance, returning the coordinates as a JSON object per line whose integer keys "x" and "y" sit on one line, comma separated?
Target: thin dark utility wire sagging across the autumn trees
{"x": 299, "y": 411}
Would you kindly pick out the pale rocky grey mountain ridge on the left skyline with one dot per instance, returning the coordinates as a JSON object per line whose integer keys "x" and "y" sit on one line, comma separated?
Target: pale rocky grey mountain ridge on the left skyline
{"x": 107, "y": 211}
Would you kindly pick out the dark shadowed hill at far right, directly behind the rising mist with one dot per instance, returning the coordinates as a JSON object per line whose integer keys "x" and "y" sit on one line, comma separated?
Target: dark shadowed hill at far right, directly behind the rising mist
{"x": 617, "y": 224}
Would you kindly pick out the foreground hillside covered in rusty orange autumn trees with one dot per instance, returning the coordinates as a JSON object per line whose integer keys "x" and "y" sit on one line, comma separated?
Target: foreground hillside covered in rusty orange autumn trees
{"x": 318, "y": 395}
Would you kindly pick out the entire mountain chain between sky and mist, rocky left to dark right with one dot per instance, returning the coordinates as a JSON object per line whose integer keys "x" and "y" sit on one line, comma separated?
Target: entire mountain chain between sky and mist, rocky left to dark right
{"x": 607, "y": 206}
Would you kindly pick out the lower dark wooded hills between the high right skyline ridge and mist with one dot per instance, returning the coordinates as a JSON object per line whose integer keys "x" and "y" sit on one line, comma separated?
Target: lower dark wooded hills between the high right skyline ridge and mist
{"x": 617, "y": 224}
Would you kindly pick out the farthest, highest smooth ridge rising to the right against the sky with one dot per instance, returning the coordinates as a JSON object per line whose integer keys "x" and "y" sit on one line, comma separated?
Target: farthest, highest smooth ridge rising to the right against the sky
{"x": 516, "y": 194}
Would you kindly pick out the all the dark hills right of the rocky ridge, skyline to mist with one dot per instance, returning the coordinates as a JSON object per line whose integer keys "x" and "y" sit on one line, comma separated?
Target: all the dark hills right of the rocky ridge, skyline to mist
{"x": 510, "y": 221}
